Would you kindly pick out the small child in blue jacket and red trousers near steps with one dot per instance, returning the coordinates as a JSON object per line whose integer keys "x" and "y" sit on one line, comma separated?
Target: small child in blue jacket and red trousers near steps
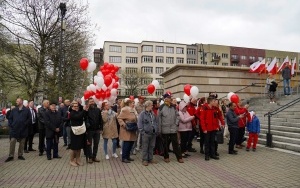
{"x": 253, "y": 127}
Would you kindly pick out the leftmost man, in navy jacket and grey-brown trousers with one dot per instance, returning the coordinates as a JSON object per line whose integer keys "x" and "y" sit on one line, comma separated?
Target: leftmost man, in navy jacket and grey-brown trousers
{"x": 19, "y": 119}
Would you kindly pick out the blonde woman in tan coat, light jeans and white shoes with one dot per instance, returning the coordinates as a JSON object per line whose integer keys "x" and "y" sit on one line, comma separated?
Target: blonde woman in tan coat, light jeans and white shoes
{"x": 110, "y": 130}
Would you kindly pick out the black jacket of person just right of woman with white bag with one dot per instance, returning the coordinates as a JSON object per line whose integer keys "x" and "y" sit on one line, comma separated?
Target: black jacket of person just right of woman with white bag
{"x": 94, "y": 119}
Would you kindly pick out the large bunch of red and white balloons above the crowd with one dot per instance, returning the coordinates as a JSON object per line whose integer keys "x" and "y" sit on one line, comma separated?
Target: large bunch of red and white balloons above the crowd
{"x": 105, "y": 83}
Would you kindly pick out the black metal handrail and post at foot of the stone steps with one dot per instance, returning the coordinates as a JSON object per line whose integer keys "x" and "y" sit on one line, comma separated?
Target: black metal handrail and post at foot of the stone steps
{"x": 271, "y": 113}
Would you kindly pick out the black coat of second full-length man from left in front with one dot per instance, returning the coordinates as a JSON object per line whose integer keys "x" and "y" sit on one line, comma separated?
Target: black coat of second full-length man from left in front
{"x": 53, "y": 120}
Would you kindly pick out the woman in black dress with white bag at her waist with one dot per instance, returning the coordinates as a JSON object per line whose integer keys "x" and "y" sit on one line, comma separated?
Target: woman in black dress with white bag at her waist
{"x": 77, "y": 141}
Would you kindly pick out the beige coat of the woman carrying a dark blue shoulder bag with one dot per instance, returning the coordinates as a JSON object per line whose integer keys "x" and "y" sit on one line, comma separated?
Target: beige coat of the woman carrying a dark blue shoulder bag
{"x": 127, "y": 114}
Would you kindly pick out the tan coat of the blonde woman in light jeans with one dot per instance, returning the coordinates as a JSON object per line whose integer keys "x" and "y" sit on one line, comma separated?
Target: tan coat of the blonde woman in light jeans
{"x": 110, "y": 129}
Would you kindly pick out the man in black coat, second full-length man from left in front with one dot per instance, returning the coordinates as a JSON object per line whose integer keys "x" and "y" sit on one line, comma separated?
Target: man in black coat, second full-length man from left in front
{"x": 53, "y": 122}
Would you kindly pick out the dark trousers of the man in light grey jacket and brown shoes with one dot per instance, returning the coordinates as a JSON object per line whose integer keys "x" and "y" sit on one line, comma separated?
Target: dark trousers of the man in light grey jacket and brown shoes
{"x": 173, "y": 138}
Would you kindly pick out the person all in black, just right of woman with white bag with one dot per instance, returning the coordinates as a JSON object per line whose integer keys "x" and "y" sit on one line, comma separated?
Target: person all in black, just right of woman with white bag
{"x": 94, "y": 124}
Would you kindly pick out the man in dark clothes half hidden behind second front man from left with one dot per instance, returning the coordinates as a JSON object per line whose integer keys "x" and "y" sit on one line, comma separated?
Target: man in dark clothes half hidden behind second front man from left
{"x": 41, "y": 122}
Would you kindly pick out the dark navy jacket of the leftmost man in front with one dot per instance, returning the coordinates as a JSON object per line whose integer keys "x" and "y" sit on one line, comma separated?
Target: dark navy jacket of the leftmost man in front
{"x": 19, "y": 120}
